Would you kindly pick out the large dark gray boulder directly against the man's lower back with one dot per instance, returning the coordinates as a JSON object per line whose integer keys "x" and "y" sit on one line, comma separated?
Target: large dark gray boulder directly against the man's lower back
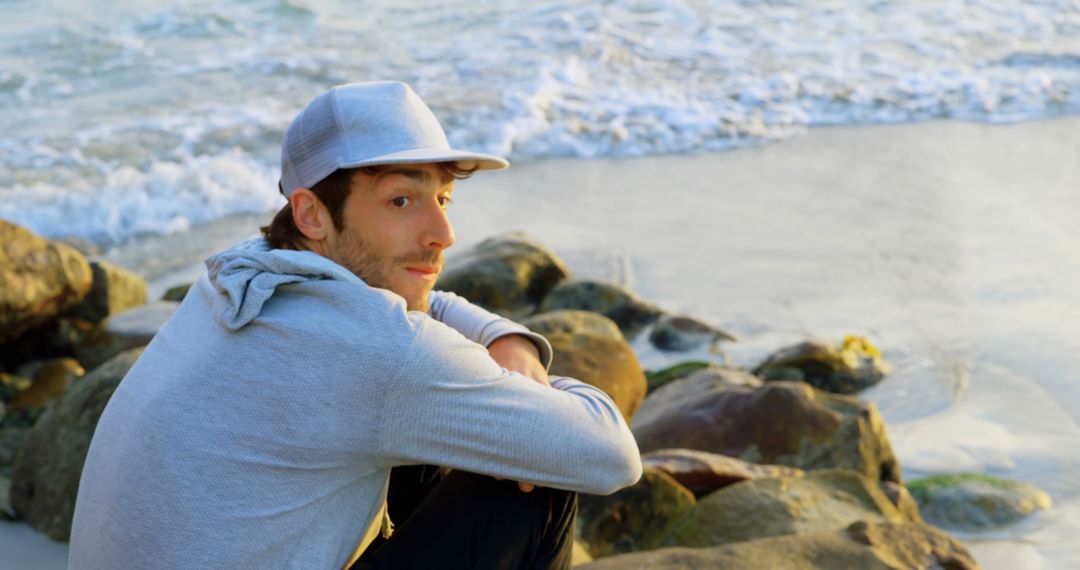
{"x": 48, "y": 466}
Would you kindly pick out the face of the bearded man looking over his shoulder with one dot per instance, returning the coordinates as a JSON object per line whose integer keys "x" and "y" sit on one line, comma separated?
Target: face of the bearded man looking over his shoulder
{"x": 396, "y": 230}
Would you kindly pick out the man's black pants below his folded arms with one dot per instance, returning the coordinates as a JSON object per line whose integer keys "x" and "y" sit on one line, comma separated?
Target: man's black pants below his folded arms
{"x": 466, "y": 521}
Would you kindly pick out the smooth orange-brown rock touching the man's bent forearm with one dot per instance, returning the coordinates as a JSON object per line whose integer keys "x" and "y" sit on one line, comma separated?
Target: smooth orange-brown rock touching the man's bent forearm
{"x": 606, "y": 363}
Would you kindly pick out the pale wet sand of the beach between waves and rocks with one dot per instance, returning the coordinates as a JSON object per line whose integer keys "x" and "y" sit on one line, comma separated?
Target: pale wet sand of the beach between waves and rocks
{"x": 952, "y": 246}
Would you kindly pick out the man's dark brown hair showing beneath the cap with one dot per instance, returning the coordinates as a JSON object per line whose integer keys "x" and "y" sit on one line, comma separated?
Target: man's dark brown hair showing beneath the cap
{"x": 282, "y": 234}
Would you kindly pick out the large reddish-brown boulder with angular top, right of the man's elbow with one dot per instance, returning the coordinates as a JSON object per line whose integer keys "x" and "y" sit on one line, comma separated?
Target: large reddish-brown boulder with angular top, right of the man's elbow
{"x": 787, "y": 424}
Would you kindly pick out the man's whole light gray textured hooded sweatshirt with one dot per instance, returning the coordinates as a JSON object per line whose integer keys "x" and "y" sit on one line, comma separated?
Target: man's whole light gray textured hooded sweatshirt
{"x": 260, "y": 427}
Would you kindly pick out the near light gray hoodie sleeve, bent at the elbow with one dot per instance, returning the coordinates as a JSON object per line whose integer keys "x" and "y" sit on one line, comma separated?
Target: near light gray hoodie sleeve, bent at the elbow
{"x": 452, "y": 405}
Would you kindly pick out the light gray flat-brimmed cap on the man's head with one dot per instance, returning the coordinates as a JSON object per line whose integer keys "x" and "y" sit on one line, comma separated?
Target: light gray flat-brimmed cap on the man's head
{"x": 364, "y": 125}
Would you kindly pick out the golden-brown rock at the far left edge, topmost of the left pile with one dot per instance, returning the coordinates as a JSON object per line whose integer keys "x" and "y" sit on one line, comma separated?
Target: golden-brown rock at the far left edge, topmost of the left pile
{"x": 38, "y": 280}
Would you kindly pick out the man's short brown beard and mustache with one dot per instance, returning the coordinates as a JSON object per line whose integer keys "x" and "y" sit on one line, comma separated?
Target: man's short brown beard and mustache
{"x": 357, "y": 254}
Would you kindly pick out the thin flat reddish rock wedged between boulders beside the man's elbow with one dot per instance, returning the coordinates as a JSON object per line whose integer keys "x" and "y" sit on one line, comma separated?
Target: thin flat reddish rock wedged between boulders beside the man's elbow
{"x": 704, "y": 473}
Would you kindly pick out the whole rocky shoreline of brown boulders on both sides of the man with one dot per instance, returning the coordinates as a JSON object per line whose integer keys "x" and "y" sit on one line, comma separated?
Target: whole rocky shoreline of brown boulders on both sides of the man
{"x": 781, "y": 466}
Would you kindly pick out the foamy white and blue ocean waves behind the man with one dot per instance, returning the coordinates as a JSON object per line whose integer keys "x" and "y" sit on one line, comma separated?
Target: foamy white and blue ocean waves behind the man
{"x": 127, "y": 118}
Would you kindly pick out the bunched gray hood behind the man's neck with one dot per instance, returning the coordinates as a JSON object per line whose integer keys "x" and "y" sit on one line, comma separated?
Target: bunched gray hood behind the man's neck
{"x": 247, "y": 276}
